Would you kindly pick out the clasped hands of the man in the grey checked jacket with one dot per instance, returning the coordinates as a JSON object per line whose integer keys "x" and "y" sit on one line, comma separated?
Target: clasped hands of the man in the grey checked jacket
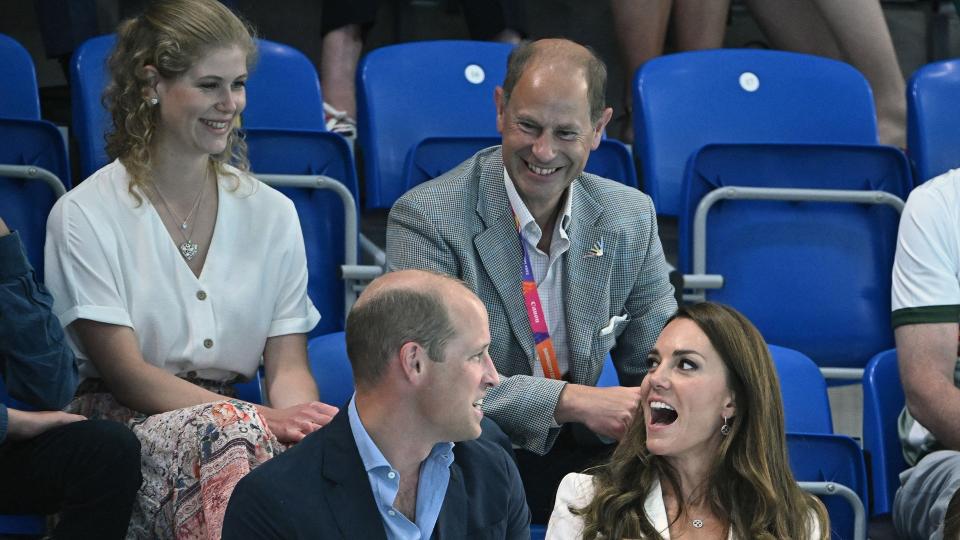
{"x": 606, "y": 411}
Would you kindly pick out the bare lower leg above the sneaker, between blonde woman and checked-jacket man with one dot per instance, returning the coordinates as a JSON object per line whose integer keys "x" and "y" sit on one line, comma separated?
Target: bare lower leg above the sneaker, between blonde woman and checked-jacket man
{"x": 338, "y": 67}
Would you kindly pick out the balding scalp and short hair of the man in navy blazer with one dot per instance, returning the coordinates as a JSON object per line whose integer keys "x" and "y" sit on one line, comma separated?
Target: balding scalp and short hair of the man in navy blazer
{"x": 397, "y": 308}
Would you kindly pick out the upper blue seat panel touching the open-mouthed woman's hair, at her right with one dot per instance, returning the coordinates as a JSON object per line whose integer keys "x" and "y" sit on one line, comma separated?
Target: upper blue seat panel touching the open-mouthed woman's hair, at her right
{"x": 806, "y": 406}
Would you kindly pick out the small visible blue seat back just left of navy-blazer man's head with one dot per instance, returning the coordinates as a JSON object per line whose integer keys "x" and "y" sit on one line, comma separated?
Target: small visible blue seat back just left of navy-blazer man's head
{"x": 331, "y": 368}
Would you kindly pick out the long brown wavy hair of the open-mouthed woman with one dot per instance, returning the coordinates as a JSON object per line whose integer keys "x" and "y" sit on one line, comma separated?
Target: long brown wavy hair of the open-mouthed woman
{"x": 750, "y": 480}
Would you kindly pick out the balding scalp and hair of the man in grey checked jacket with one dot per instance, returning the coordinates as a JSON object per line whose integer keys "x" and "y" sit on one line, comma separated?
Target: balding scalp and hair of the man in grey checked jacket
{"x": 560, "y": 54}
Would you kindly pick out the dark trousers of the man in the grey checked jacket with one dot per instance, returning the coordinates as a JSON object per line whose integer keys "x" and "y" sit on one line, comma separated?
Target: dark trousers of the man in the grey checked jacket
{"x": 541, "y": 475}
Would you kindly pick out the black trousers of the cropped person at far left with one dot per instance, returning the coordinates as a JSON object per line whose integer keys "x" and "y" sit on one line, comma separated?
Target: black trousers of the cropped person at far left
{"x": 87, "y": 471}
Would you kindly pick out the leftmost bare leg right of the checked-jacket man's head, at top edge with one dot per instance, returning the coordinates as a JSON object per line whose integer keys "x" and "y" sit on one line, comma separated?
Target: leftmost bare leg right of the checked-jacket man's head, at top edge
{"x": 641, "y": 27}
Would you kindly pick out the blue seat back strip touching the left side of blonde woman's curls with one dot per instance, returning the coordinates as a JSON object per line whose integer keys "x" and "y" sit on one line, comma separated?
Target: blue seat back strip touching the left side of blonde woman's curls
{"x": 91, "y": 121}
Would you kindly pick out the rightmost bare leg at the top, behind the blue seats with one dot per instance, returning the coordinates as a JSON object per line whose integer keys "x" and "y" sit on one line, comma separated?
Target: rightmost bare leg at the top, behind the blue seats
{"x": 864, "y": 39}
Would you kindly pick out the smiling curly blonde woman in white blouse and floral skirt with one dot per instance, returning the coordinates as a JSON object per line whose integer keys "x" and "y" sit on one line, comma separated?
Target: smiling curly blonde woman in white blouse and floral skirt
{"x": 175, "y": 272}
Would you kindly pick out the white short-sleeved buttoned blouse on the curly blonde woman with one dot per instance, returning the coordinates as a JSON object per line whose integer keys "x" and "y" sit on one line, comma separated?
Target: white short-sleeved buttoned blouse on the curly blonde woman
{"x": 111, "y": 261}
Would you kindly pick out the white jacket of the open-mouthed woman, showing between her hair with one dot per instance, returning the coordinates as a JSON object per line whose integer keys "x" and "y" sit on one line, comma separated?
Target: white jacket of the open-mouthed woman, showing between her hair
{"x": 577, "y": 490}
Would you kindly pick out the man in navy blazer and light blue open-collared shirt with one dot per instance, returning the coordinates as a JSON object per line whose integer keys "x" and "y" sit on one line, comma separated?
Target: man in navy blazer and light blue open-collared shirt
{"x": 403, "y": 459}
